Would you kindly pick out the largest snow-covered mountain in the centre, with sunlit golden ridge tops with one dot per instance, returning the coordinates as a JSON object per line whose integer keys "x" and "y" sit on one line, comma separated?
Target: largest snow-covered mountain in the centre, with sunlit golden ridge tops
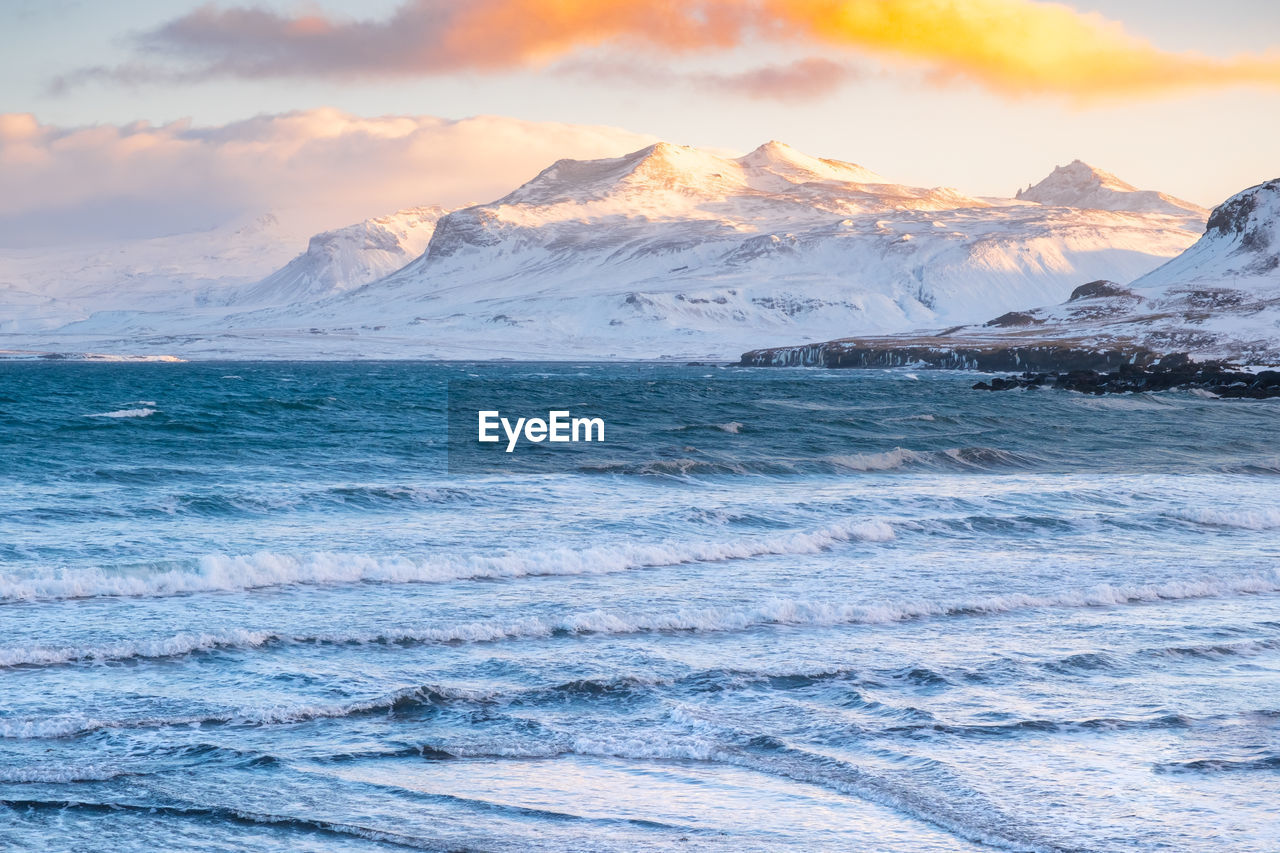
{"x": 668, "y": 252}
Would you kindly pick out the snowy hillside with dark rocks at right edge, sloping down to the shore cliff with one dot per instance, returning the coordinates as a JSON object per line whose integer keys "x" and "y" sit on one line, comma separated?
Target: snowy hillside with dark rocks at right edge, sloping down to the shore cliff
{"x": 1220, "y": 299}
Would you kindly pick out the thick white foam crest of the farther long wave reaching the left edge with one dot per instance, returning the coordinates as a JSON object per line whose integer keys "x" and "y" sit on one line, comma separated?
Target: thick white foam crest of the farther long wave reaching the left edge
{"x": 225, "y": 573}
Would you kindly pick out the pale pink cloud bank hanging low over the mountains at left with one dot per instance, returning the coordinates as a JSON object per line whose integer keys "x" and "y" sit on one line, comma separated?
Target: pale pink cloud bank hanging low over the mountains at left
{"x": 330, "y": 168}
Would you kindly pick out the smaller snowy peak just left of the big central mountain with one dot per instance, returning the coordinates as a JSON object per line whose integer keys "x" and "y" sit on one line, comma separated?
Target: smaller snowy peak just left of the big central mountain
{"x": 348, "y": 258}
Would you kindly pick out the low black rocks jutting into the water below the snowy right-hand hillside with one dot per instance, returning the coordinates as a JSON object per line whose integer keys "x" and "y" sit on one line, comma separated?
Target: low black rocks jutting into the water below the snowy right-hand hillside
{"x": 1172, "y": 372}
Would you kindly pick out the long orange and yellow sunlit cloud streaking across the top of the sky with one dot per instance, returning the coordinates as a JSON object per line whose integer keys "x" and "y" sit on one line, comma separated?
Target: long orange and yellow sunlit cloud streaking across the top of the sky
{"x": 1011, "y": 47}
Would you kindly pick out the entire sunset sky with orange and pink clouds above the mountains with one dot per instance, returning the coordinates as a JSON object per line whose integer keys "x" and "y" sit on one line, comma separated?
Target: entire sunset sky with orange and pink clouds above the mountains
{"x": 144, "y": 117}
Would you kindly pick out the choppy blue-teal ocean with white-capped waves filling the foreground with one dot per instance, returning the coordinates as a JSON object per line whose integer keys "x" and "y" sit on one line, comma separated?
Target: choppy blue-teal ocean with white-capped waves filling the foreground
{"x": 260, "y": 606}
